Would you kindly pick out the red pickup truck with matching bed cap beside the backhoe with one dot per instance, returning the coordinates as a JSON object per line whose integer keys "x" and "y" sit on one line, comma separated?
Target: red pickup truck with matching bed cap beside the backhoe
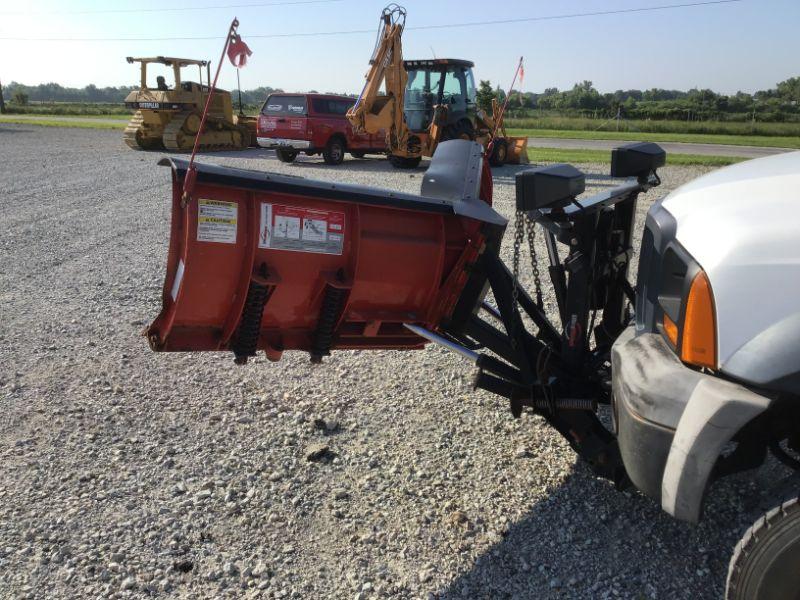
{"x": 314, "y": 124}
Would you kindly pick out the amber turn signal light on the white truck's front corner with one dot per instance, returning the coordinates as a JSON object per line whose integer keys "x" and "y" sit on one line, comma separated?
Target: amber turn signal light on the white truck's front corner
{"x": 699, "y": 344}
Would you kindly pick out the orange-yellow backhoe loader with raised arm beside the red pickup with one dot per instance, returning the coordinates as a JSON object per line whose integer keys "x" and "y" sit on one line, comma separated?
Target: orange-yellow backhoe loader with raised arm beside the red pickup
{"x": 420, "y": 103}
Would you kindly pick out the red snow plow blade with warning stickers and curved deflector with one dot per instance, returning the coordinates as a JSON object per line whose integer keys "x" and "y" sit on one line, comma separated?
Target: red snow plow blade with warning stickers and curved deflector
{"x": 260, "y": 261}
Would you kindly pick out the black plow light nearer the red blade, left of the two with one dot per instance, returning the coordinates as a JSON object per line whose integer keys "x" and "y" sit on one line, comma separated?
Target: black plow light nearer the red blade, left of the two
{"x": 554, "y": 186}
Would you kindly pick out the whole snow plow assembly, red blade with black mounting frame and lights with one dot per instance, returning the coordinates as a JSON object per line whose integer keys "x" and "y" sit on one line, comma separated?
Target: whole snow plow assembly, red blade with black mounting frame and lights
{"x": 259, "y": 261}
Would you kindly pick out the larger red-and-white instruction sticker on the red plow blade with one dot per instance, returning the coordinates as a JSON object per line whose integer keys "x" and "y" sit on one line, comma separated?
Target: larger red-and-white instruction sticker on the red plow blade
{"x": 301, "y": 229}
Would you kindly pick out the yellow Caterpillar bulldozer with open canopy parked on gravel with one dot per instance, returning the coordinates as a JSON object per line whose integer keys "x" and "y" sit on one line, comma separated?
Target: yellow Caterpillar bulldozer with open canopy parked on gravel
{"x": 169, "y": 117}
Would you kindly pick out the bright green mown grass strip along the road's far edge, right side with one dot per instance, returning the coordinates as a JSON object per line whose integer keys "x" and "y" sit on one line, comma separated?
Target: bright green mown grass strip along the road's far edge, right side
{"x": 692, "y": 138}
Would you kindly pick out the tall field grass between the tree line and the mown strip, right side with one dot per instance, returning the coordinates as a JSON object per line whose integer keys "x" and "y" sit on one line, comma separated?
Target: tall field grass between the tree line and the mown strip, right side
{"x": 745, "y": 128}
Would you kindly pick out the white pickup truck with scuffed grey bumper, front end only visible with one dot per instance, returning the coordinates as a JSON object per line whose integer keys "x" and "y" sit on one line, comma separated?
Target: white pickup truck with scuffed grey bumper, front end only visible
{"x": 707, "y": 380}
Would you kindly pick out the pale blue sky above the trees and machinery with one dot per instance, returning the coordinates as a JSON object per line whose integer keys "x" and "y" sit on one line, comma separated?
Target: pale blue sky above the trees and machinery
{"x": 745, "y": 46}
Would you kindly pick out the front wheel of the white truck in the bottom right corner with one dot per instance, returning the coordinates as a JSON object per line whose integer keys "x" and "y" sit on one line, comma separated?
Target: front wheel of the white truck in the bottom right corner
{"x": 766, "y": 562}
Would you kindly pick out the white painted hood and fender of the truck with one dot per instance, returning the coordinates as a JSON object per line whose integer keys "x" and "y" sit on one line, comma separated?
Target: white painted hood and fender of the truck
{"x": 742, "y": 225}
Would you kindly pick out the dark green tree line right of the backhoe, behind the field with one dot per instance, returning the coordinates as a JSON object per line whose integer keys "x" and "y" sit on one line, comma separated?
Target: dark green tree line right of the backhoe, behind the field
{"x": 779, "y": 104}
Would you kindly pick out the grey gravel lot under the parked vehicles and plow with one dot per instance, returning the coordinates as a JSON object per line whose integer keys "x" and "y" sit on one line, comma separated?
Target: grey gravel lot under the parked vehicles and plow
{"x": 130, "y": 474}
